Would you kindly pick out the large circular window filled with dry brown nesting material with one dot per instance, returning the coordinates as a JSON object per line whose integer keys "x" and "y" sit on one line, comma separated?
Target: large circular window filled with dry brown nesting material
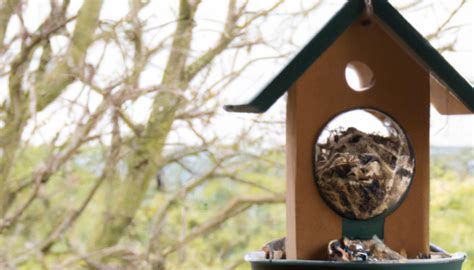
{"x": 363, "y": 164}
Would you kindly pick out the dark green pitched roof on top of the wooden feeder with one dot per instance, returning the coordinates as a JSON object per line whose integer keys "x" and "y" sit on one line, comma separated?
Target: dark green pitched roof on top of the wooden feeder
{"x": 392, "y": 19}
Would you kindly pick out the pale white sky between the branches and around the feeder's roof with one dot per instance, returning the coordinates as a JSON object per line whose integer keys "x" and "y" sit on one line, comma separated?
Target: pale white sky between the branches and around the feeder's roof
{"x": 445, "y": 130}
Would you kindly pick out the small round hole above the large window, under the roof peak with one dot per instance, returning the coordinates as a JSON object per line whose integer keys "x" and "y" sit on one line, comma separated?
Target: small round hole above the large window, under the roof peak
{"x": 359, "y": 76}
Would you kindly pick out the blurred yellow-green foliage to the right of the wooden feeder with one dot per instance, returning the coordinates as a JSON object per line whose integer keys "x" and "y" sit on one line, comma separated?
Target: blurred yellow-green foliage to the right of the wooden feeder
{"x": 452, "y": 202}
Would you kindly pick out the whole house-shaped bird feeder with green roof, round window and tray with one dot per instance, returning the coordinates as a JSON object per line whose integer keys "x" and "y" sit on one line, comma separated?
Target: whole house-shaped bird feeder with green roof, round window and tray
{"x": 353, "y": 181}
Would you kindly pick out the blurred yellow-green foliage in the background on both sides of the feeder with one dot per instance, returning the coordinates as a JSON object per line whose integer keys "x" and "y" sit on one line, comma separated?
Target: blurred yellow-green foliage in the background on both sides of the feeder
{"x": 451, "y": 227}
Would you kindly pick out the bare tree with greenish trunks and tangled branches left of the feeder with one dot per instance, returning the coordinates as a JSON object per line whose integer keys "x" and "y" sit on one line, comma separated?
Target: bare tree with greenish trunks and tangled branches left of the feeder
{"x": 42, "y": 77}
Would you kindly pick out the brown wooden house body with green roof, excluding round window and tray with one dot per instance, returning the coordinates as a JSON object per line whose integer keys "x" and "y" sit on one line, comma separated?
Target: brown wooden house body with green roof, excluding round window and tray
{"x": 408, "y": 76}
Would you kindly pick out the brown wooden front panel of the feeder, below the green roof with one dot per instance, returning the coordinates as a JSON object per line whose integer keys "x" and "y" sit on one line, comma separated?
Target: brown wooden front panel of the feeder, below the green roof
{"x": 402, "y": 91}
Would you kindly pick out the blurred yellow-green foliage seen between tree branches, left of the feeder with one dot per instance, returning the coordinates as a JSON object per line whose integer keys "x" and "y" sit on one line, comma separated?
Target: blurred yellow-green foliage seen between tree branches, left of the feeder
{"x": 223, "y": 248}
